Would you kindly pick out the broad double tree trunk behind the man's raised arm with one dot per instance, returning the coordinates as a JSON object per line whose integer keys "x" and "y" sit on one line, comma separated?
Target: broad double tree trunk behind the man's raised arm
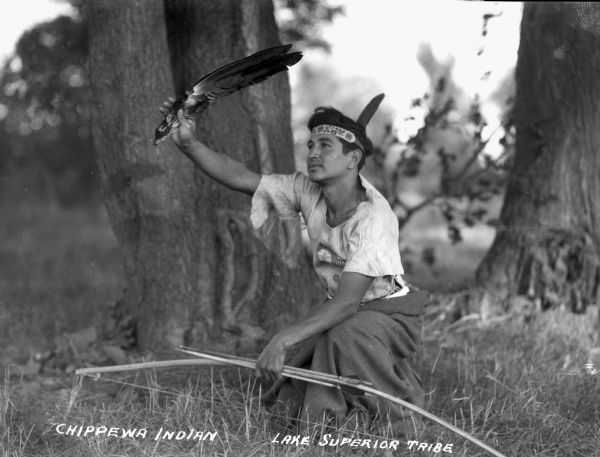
{"x": 194, "y": 266}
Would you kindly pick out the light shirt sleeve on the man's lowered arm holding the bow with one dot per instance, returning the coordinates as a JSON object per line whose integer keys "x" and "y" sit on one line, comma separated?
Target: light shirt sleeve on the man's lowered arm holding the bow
{"x": 373, "y": 247}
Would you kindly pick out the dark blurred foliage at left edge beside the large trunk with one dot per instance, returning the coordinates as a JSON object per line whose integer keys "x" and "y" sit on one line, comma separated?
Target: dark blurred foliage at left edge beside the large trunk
{"x": 46, "y": 123}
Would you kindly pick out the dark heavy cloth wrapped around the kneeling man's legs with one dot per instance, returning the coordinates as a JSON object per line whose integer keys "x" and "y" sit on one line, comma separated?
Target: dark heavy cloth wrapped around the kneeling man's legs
{"x": 372, "y": 345}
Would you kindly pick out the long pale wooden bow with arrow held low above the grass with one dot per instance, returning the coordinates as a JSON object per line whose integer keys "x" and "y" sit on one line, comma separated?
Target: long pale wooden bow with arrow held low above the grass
{"x": 316, "y": 377}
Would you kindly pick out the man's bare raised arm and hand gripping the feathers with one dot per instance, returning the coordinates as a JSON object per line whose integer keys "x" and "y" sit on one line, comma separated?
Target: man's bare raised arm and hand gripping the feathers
{"x": 220, "y": 167}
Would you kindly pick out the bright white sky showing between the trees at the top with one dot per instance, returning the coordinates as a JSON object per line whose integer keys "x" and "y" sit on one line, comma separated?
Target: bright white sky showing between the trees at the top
{"x": 392, "y": 30}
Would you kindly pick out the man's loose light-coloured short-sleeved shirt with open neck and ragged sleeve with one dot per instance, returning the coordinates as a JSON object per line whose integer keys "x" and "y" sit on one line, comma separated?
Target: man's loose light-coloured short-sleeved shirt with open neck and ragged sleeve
{"x": 366, "y": 243}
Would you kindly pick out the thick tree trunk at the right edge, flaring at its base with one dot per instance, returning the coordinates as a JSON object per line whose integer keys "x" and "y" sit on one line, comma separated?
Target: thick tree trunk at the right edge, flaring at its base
{"x": 547, "y": 246}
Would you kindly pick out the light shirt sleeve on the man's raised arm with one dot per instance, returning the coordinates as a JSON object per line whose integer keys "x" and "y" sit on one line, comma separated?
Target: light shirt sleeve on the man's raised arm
{"x": 280, "y": 195}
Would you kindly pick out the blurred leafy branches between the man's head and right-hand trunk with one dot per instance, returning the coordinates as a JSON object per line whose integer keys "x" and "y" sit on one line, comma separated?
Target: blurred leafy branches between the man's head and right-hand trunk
{"x": 450, "y": 162}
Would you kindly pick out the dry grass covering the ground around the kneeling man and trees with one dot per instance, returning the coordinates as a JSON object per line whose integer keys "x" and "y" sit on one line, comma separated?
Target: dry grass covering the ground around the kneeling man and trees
{"x": 517, "y": 386}
